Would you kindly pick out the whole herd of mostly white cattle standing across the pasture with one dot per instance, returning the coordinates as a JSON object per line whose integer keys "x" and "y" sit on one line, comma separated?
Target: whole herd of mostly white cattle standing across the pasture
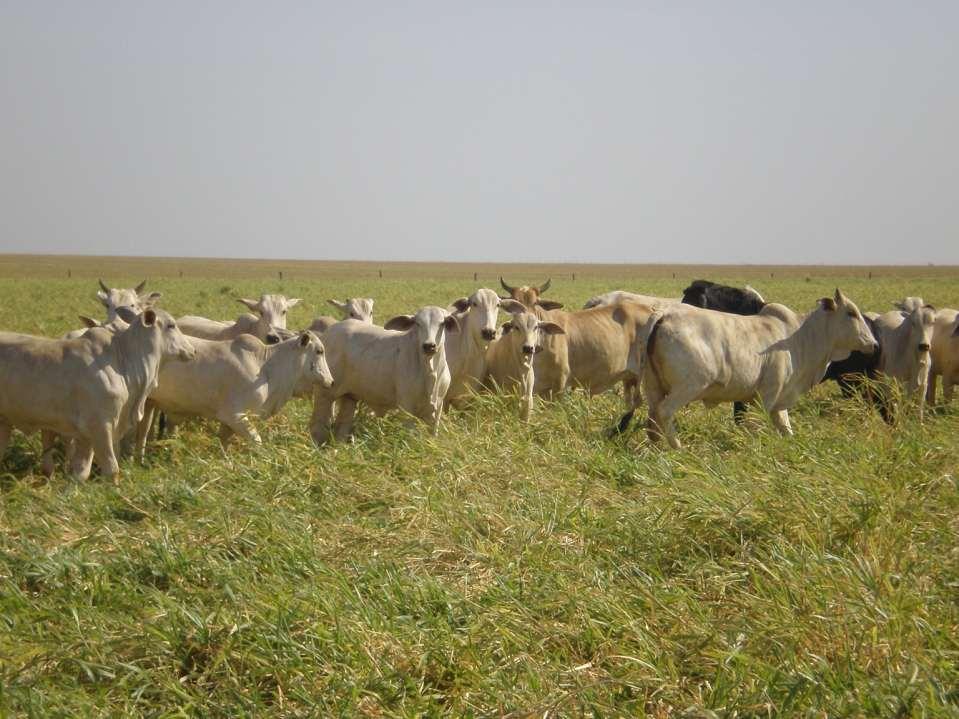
{"x": 98, "y": 389}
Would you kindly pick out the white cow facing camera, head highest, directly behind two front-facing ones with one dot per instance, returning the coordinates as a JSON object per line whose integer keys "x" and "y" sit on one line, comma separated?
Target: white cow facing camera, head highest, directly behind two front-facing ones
{"x": 477, "y": 316}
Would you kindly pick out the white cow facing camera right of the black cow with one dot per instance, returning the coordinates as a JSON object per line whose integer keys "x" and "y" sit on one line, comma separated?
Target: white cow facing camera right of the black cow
{"x": 905, "y": 336}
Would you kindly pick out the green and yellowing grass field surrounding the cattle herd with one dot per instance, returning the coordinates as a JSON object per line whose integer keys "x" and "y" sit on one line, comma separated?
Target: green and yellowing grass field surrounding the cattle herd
{"x": 499, "y": 568}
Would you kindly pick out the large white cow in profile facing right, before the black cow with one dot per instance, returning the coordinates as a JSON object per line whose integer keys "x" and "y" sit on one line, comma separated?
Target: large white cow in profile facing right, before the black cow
{"x": 775, "y": 356}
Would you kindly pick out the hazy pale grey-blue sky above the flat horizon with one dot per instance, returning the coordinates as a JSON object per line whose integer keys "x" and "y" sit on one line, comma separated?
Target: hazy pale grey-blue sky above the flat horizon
{"x": 801, "y": 132}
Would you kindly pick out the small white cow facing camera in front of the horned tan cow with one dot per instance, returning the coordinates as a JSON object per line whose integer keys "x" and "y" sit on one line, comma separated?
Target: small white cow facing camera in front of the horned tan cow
{"x": 512, "y": 356}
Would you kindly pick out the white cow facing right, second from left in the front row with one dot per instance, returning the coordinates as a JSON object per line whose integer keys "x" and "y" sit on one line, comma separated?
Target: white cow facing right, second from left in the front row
{"x": 232, "y": 379}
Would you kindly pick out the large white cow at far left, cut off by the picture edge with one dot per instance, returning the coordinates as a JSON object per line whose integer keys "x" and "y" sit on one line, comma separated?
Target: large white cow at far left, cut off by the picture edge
{"x": 90, "y": 390}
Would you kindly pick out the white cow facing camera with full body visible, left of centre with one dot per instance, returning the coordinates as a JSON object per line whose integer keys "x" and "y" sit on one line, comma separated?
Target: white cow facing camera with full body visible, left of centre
{"x": 399, "y": 366}
